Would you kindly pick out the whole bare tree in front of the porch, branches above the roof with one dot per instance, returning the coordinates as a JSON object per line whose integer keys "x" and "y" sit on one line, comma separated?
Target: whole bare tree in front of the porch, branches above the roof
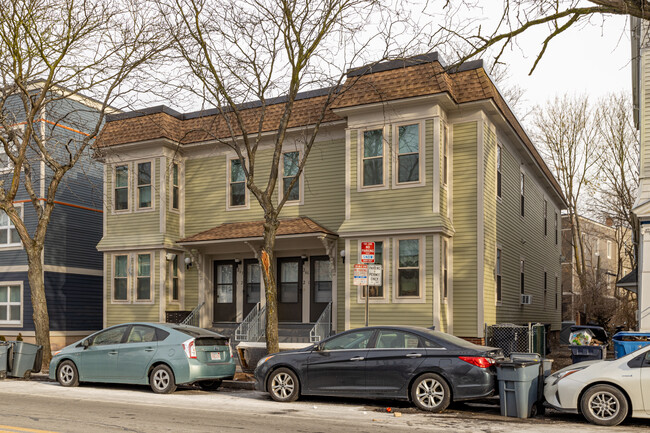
{"x": 254, "y": 50}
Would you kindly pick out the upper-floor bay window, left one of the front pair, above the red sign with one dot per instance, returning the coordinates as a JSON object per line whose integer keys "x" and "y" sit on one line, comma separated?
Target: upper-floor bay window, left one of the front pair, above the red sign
{"x": 372, "y": 159}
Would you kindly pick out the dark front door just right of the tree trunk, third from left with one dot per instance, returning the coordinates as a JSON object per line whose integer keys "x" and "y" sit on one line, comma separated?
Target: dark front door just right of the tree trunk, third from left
{"x": 290, "y": 289}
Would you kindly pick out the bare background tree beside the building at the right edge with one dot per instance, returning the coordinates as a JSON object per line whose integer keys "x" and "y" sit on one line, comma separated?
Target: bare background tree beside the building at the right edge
{"x": 619, "y": 172}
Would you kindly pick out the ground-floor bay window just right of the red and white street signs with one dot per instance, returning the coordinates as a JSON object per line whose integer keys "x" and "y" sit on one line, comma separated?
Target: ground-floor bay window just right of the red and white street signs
{"x": 409, "y": 270}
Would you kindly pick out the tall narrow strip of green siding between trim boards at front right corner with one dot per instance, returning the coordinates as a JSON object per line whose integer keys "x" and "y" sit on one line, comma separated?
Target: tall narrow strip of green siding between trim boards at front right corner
{"x": 465, "y": 222}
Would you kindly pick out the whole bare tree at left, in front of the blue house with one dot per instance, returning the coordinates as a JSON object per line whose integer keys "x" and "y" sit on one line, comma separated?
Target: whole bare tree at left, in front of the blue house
{"x": 51, "y": 51}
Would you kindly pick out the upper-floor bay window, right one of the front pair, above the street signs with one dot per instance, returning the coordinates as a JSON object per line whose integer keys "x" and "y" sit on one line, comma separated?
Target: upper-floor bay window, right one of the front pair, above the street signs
{"x": 408, "y": 164}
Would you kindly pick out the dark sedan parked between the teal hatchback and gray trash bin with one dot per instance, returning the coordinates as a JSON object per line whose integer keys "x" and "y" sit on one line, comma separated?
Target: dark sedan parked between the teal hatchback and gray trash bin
{"x": 429, "y": 368}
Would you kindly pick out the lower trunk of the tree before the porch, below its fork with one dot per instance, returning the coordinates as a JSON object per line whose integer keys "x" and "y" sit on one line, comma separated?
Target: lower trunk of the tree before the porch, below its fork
{"x": 268, "y": 259}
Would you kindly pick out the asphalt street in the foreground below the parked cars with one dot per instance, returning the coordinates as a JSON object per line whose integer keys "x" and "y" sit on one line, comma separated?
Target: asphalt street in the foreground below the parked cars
{"x": 34, "y": 407}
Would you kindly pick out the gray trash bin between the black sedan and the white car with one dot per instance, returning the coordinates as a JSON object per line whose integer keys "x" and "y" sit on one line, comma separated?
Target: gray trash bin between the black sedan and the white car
{"x": 519, "y": 385}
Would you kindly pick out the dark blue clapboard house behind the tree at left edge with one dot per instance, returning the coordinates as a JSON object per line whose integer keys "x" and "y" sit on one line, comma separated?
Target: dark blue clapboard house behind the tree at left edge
{"x": 72, "y": 264}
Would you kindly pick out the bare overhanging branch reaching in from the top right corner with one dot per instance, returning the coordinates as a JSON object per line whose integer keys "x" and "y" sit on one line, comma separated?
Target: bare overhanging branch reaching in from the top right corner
{"x": 550, "y": 16}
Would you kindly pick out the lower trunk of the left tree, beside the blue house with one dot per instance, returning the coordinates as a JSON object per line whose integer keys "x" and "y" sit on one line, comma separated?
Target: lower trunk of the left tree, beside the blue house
{"x": 39, "y": 303}
